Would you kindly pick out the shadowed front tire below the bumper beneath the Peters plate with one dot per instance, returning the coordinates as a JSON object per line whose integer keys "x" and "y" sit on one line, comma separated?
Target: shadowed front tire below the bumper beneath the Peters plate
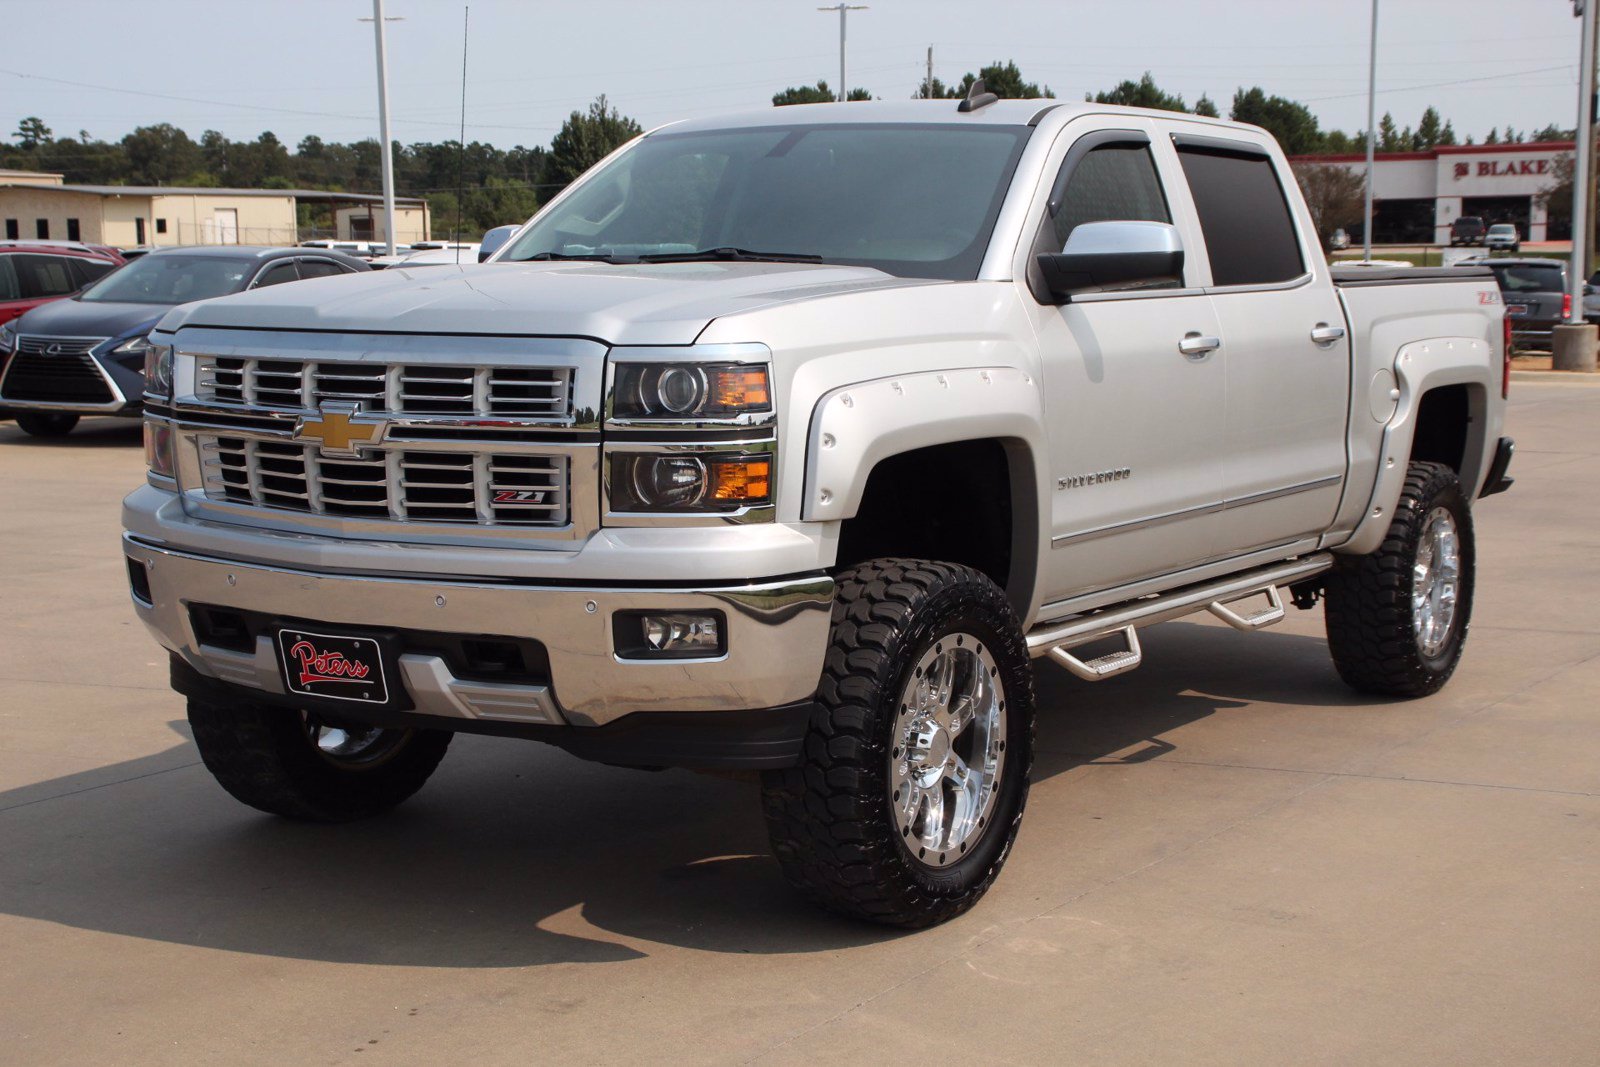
{"x": 310, "y": 767}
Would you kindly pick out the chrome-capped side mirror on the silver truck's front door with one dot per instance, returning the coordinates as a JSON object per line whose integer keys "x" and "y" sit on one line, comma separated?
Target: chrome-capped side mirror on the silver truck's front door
{"x": 1114, "y": 257}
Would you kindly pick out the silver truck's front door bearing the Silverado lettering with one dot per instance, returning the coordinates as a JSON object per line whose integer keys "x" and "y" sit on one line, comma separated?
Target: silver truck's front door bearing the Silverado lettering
{"x": 1134, "y": 430}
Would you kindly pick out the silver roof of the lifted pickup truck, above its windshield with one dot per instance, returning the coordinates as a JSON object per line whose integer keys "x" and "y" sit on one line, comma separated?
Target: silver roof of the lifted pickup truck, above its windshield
{"x": 942, "y": 111}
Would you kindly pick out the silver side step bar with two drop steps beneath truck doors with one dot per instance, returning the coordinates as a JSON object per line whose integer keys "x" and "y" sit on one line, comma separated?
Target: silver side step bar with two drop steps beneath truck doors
{"x": 1055, "y": 641}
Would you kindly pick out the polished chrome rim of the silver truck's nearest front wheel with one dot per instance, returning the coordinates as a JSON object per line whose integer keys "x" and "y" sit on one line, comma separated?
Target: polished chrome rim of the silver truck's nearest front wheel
{"x": 948, "y": 749}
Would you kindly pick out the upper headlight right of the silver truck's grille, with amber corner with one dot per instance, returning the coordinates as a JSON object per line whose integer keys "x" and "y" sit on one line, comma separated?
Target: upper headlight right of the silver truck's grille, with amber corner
{"x": 690, "y": 391}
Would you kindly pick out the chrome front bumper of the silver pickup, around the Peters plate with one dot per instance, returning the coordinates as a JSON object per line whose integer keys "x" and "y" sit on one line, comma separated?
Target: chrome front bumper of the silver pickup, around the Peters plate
{"x": 777, "y": 634}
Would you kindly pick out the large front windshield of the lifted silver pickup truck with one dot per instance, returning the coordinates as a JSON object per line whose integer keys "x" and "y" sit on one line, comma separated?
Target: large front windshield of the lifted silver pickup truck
{"x": 914, "y": 201}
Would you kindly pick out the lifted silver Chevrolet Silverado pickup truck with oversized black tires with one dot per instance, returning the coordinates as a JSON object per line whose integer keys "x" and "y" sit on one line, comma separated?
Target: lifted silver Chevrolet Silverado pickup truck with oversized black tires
{"x": 786, "y": 444}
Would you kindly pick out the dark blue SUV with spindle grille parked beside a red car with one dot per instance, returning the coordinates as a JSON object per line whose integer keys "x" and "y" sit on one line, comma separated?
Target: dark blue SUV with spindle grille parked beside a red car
{"x": 86, "y": 354}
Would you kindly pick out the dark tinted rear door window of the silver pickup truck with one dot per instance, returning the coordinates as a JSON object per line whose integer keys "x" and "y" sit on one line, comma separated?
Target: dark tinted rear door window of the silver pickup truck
{"x": 1247, "y": 225}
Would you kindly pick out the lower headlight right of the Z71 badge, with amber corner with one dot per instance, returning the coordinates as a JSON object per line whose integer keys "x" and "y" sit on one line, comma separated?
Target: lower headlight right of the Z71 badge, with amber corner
{"x": 679, "y": 482}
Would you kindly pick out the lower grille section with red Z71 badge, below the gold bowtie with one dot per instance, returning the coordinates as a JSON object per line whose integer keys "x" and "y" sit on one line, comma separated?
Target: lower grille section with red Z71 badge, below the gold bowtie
{"x": 417, "y": 486}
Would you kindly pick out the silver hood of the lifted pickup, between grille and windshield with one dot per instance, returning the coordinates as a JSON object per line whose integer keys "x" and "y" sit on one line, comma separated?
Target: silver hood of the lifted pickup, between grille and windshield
{"x": 612, "y": 303}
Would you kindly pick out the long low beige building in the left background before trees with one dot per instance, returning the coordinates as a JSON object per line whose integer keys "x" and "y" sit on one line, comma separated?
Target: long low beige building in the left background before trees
{"x": 167, "y": 215}
